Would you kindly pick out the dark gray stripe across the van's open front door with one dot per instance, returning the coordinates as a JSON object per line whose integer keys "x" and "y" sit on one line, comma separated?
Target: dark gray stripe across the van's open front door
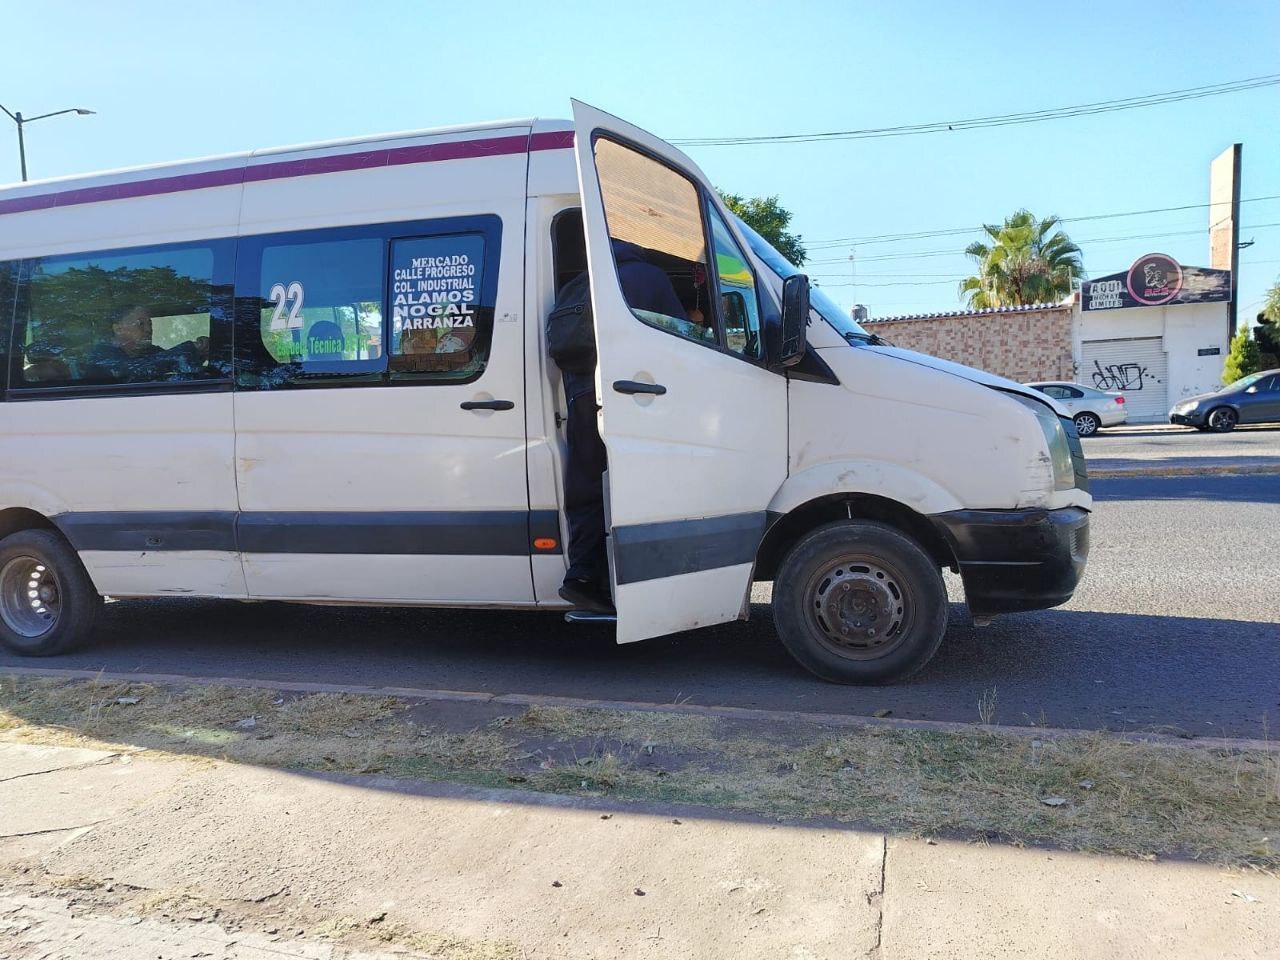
{"x": 653, "y": 551}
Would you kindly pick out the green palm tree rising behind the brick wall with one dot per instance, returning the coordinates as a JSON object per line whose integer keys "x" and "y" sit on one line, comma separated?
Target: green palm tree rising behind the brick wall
{"x": 1028, "y": 262}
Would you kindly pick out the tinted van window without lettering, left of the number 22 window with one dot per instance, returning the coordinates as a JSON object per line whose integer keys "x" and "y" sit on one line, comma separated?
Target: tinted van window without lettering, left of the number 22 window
{"x": 132, "y": 317}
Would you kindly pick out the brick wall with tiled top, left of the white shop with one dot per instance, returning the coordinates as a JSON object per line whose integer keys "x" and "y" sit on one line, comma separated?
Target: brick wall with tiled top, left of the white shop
{"x": 1023, "y": 344}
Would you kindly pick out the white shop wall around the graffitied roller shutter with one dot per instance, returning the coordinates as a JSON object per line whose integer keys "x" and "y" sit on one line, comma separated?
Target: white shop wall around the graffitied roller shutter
{"x": 1187, "y": 330}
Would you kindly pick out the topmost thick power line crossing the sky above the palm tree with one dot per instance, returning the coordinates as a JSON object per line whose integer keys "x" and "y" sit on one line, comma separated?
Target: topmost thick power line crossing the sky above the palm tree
{"x": 1101, "y": 107}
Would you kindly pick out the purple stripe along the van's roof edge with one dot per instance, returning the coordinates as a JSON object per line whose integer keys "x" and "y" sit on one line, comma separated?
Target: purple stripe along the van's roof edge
{"x": 309, "y": 167}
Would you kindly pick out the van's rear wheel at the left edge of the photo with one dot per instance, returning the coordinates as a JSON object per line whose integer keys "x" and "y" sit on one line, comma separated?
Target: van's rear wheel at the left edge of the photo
{"x": 67, "y": 606}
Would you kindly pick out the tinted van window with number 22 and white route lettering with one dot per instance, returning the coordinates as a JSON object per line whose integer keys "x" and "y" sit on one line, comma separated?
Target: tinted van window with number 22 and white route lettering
{"x": 368, "y": 304}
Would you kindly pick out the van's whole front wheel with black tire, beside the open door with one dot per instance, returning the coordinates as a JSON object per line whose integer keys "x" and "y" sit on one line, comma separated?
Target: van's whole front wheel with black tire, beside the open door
{"x": 835, "y": 634}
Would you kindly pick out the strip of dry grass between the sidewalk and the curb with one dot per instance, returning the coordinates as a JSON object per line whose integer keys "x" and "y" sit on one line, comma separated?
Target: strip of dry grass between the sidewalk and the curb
{"x": 1118, "y": 796}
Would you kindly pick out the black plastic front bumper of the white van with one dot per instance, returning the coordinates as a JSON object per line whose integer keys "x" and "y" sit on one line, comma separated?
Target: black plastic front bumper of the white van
{"x": 1018, "y": 560}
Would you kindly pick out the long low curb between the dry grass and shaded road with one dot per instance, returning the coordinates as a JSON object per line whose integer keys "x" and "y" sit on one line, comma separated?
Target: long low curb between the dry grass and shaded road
{"x": 746, "y": 714}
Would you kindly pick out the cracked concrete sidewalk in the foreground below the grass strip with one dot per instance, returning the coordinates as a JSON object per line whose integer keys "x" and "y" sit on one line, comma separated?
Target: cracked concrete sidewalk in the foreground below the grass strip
{"x": 104, "y": 854}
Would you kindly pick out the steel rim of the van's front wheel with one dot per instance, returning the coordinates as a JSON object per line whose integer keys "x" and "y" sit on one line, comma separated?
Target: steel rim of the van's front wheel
{"x": 861, "y": 609}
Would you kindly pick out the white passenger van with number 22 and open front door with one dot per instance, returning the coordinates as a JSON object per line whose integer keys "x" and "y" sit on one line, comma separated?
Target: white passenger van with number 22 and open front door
{"x": 318, "y": 374}
